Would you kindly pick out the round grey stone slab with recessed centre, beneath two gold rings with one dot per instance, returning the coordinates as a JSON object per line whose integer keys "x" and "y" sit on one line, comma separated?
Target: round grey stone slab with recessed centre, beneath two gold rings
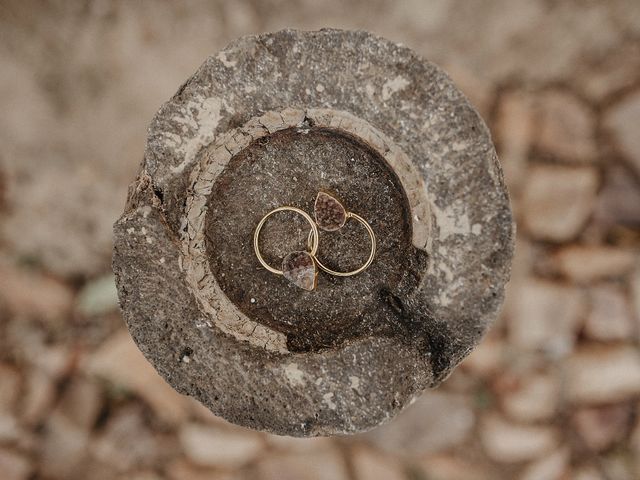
{"x": 270, "y": 121}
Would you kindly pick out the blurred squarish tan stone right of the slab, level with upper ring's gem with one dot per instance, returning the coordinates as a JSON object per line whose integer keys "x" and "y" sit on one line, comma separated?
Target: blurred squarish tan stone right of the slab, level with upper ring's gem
{"x": 558, "y": 200}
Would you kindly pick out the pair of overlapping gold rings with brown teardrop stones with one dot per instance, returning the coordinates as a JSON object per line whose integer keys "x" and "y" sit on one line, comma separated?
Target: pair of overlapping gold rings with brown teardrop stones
{"x": 301, "y": 267}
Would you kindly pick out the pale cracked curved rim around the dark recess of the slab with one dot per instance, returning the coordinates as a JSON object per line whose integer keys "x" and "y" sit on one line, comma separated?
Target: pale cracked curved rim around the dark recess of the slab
{"x": 224, "y": 314}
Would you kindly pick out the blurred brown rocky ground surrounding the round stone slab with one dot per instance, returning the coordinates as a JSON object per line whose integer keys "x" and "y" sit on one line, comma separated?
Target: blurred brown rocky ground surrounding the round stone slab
{"x": 553, "y": 393}
